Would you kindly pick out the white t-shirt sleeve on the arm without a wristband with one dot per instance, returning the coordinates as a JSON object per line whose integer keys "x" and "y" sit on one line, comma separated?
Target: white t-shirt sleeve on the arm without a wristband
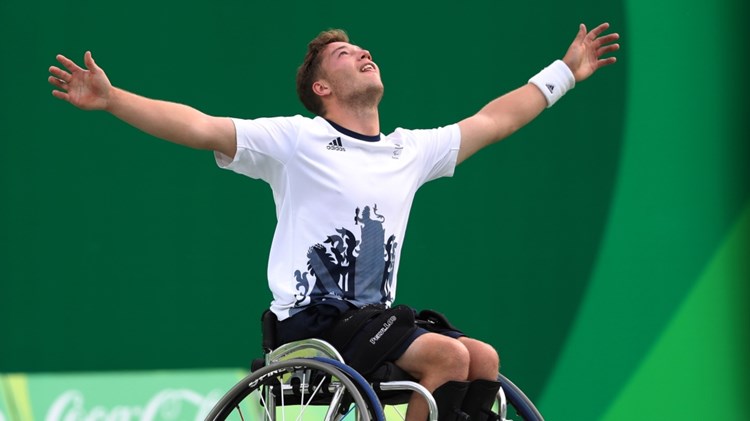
{"x": 263, "y": 145}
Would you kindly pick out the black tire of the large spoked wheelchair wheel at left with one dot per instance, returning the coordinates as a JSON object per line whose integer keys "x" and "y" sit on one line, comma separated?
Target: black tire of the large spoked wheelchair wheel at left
{"x": 262, "y": 377}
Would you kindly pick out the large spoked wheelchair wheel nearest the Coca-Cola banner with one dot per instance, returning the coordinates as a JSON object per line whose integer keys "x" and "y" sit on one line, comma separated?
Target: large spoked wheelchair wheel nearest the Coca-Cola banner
{"x": 296, "y": 389}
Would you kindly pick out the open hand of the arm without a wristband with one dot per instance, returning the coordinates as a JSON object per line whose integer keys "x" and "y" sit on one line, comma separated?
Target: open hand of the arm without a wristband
{"x": 88, "y": 89}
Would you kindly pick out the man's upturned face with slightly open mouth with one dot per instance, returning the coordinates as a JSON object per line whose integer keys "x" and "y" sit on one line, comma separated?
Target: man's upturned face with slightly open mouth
{"x": 351, "y": 73}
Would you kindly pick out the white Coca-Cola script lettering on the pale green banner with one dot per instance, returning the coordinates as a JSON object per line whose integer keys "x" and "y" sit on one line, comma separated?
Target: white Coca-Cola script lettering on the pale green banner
{"x": 166, "y": 405}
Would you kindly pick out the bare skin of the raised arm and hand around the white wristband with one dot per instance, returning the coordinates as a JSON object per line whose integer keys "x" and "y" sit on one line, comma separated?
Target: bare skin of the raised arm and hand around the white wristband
{"x": 508, "y": 113}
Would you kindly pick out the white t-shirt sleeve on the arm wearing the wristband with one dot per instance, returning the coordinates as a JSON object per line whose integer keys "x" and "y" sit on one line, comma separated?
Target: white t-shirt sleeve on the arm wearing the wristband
{"x": 438, "y": 150}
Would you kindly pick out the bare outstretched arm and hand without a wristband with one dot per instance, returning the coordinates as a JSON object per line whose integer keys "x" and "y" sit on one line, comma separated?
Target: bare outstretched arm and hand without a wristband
{"x": 90, "y": 89}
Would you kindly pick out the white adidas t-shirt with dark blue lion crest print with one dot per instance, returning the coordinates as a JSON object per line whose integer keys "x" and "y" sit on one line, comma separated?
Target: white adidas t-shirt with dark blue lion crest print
{"x": 342, "y": 203}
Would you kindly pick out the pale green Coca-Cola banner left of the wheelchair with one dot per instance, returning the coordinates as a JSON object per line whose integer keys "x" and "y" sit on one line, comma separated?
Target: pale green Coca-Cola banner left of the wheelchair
{"x": 122, "y": 396}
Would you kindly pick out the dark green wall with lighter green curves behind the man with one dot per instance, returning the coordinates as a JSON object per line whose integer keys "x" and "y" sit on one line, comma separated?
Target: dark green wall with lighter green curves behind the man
{"x": 603, "y": 249}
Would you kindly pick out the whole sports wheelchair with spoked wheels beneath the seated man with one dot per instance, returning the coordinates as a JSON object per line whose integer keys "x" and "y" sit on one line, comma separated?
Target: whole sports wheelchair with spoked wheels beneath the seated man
{"x": 309, "y": 380}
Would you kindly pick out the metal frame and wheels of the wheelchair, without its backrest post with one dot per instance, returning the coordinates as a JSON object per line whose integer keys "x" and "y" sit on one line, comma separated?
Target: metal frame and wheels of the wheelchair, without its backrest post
{"x": 302, "y": 363}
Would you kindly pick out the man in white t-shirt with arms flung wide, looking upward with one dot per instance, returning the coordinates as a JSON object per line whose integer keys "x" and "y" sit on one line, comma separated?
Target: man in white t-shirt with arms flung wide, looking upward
{"x": 343, "y": 192}
